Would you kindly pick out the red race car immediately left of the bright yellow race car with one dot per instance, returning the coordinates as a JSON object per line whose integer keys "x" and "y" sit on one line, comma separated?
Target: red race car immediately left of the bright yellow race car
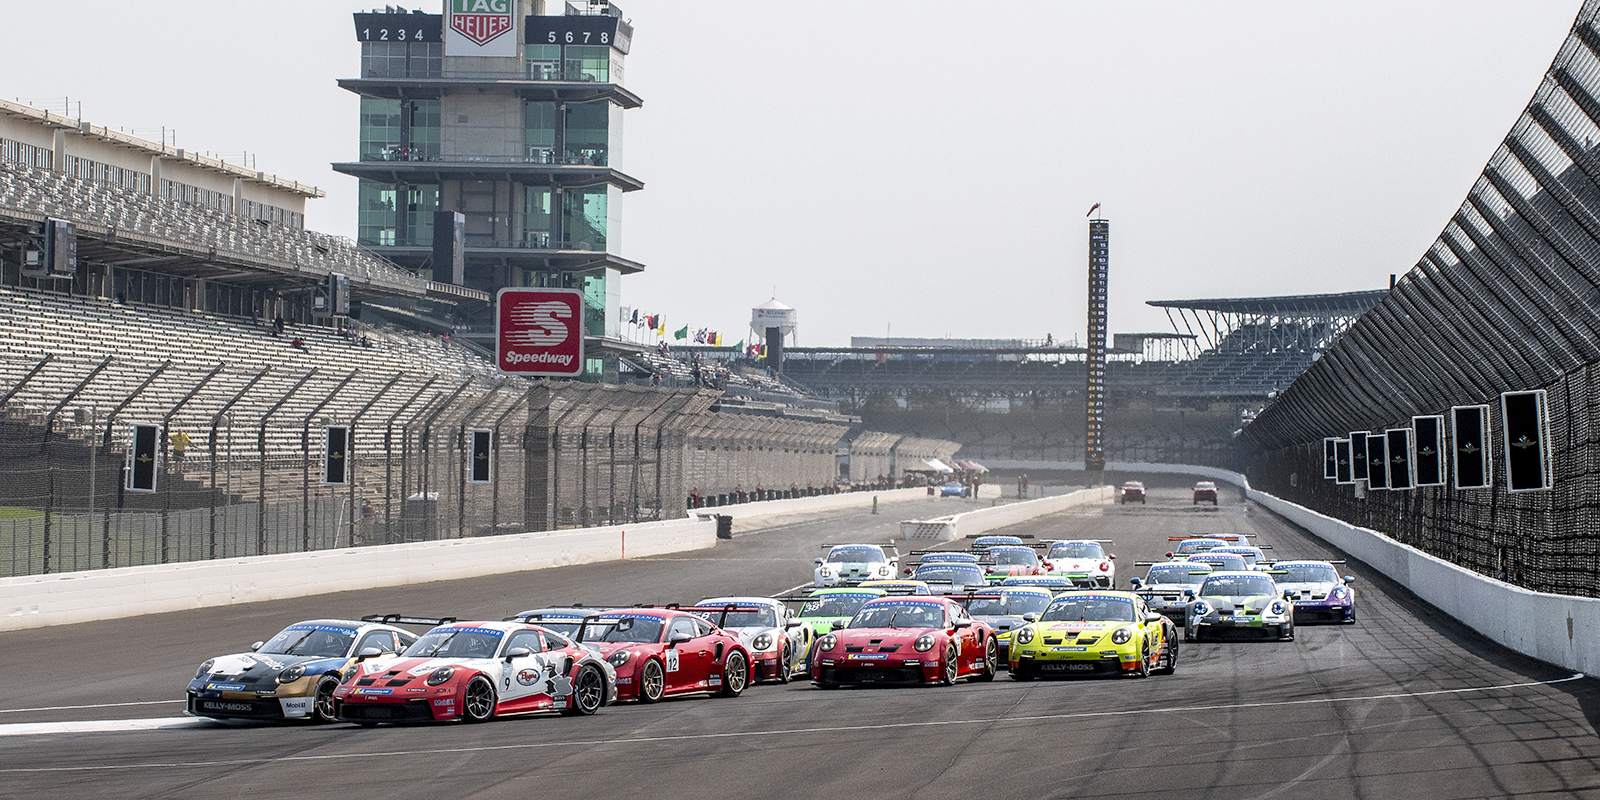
{"x": 906, "y": 641}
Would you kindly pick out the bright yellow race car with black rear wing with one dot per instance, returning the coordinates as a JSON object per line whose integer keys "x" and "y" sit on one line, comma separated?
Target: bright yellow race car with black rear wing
{"x": 1095, "y": 633}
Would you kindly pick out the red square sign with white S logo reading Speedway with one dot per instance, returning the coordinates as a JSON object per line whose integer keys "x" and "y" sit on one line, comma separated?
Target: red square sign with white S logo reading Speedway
{"x": 540, "y": 332}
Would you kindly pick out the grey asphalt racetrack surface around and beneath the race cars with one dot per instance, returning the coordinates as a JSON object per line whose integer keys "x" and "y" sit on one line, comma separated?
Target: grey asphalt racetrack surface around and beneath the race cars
{"x": 1406, "y": 703}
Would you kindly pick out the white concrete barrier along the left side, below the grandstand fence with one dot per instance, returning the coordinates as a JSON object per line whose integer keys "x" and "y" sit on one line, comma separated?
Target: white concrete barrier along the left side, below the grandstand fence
{"x": 106, "y": 594}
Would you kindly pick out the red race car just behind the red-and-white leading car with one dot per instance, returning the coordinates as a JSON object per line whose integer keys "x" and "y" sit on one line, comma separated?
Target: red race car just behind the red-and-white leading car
{"x": 665, "y": 652}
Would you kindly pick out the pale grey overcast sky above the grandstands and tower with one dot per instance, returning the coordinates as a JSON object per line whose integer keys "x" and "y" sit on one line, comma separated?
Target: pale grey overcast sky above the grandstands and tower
{"x": 922, "y": 166}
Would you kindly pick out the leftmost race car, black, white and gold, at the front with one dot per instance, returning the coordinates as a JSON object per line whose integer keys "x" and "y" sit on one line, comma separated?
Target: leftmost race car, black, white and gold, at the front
{"x": 294, "y": 674}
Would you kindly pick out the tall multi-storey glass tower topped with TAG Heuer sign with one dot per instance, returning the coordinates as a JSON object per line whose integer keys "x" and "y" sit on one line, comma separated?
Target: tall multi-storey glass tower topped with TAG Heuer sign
{"x": 500, "y": 121}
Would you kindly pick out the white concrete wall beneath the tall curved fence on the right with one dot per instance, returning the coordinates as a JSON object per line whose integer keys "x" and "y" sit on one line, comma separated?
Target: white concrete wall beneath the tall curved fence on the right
{"x": 1556, "y": 630}
